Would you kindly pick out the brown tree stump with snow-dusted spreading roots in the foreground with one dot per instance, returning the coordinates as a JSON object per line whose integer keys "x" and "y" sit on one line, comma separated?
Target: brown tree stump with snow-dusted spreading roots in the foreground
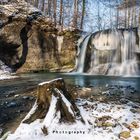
{"x": 52, "y": 97}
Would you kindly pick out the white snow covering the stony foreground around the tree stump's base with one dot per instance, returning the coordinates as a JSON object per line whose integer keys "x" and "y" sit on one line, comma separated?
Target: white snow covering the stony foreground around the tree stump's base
{"x": 104, "y": 121}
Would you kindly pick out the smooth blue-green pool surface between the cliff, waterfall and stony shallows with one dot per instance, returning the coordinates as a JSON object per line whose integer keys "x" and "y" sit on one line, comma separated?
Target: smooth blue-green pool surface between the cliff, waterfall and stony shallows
{"x": 29, "y": 80}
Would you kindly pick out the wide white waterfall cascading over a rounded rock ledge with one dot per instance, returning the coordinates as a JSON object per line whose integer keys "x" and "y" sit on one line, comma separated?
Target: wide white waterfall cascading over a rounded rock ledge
{"x": 113, "y": 52}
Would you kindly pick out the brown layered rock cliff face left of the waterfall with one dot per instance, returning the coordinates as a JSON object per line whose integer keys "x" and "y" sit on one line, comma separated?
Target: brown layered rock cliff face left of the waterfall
{"x": 30, "y": 42}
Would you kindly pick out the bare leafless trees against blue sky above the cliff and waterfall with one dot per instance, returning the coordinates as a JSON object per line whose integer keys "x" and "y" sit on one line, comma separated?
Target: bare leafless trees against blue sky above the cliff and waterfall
{"x": 91, "y": 15}
